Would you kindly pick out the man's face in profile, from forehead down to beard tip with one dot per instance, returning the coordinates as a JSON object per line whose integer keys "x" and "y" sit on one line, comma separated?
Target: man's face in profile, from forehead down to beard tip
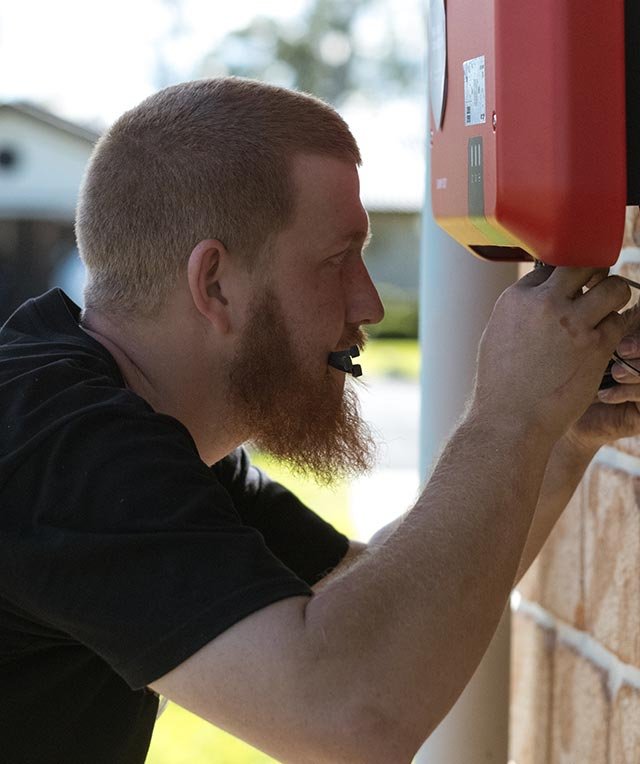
{"x": 312, "y": 301}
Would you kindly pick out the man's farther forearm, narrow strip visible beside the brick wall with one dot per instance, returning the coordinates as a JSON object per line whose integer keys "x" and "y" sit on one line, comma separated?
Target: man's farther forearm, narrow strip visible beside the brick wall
{"x": 564, "y": 472}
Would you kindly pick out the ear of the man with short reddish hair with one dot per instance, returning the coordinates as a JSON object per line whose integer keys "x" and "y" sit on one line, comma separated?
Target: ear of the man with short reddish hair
{"x": 207, "y": 265}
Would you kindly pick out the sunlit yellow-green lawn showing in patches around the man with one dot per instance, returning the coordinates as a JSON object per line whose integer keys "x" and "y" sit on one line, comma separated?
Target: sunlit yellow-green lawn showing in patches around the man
{"x": 182, "y": 738}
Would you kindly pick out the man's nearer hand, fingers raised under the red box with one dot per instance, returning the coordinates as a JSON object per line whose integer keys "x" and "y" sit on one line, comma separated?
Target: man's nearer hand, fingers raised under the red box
{"x": 546, "y": 347}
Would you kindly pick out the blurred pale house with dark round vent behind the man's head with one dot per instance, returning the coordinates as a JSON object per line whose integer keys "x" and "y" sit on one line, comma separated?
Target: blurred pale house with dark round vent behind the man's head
{"x": 42, "y": 158}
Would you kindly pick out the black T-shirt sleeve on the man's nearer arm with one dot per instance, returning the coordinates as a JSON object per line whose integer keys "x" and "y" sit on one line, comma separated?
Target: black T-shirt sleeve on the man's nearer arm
{"x": 126, "y": 542}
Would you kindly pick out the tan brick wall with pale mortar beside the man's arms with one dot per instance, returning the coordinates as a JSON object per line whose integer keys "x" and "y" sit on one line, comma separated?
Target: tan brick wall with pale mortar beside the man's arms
{"x": 575, "y": 663}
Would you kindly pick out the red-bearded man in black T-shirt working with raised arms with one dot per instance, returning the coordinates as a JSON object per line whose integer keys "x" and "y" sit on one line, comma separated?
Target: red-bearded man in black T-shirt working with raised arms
{"x": 222, "y": 230}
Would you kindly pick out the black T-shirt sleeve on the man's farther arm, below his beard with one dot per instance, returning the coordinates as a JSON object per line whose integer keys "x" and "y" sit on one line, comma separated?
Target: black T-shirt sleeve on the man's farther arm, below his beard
{"x": 301, "y": 539}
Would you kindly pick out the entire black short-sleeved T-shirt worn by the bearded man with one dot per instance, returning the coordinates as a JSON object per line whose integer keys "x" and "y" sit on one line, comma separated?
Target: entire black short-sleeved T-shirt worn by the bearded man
{"x": 121, "y": 552}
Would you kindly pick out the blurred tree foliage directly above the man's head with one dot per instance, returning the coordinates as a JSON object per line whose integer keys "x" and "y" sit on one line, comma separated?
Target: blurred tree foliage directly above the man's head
{"x": 334, "y": 49}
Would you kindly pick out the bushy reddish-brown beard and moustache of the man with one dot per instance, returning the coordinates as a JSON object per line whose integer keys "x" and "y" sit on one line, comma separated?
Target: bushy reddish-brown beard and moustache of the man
{"x": 307, "y": 419}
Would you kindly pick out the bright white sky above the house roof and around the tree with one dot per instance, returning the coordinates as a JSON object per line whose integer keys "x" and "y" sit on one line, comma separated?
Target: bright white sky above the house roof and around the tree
{"x": 89, "y": 61}
